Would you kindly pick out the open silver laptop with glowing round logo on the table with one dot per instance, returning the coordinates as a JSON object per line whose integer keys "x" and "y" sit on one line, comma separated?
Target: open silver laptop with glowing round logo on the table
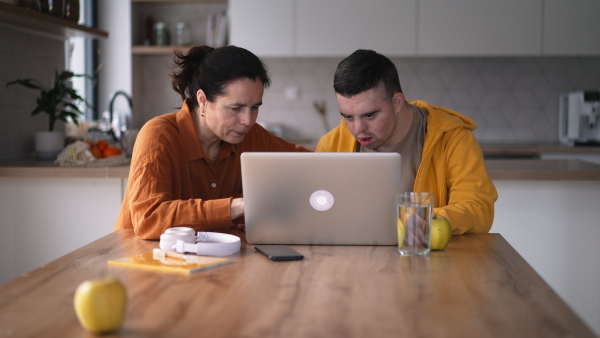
{"x": 320, "y": 198}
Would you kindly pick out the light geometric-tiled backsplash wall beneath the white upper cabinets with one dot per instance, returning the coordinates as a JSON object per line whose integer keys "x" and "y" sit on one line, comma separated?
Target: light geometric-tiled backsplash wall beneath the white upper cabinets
{"x": 512, "y": 99}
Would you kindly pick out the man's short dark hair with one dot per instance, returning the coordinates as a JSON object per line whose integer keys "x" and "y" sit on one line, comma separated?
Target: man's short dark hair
{"x": 365, "y": 69}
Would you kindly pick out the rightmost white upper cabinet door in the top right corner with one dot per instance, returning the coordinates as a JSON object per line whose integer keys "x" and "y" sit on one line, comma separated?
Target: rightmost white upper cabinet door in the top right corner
{"x": 571, "y": 27}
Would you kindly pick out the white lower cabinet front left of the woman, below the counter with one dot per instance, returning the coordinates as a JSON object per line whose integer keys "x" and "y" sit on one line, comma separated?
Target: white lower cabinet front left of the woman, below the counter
{"x": 42, "y": 219}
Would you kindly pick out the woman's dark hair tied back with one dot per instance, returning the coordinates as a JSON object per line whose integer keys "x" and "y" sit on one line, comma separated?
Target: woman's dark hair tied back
{"x": 213, "y": 69}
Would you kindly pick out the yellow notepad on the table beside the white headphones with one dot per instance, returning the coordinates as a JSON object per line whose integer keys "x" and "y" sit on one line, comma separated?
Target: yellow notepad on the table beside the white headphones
{"x": 150, "y": 261}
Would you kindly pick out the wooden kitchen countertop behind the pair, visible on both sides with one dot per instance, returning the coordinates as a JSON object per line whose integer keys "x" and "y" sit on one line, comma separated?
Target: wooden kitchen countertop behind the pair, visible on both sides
{"x": 498, "y": 169}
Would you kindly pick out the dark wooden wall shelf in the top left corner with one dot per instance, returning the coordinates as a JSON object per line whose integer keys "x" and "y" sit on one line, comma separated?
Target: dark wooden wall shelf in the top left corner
{"x": 45, "y": 24}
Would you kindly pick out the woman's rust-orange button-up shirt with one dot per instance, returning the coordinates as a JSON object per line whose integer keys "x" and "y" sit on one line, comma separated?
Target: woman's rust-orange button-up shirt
{"x": 172, "y": 182}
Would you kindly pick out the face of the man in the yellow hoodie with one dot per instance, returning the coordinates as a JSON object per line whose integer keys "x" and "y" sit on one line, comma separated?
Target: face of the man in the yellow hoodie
{"x": 371, "y": 116}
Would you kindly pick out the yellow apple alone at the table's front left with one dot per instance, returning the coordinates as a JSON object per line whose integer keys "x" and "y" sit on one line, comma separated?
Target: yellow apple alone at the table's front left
{"x": 100, "y": 304}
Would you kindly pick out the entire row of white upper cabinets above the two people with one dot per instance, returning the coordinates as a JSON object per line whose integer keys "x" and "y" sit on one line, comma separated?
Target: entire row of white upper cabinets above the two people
{"x": 323, "y": 28}
